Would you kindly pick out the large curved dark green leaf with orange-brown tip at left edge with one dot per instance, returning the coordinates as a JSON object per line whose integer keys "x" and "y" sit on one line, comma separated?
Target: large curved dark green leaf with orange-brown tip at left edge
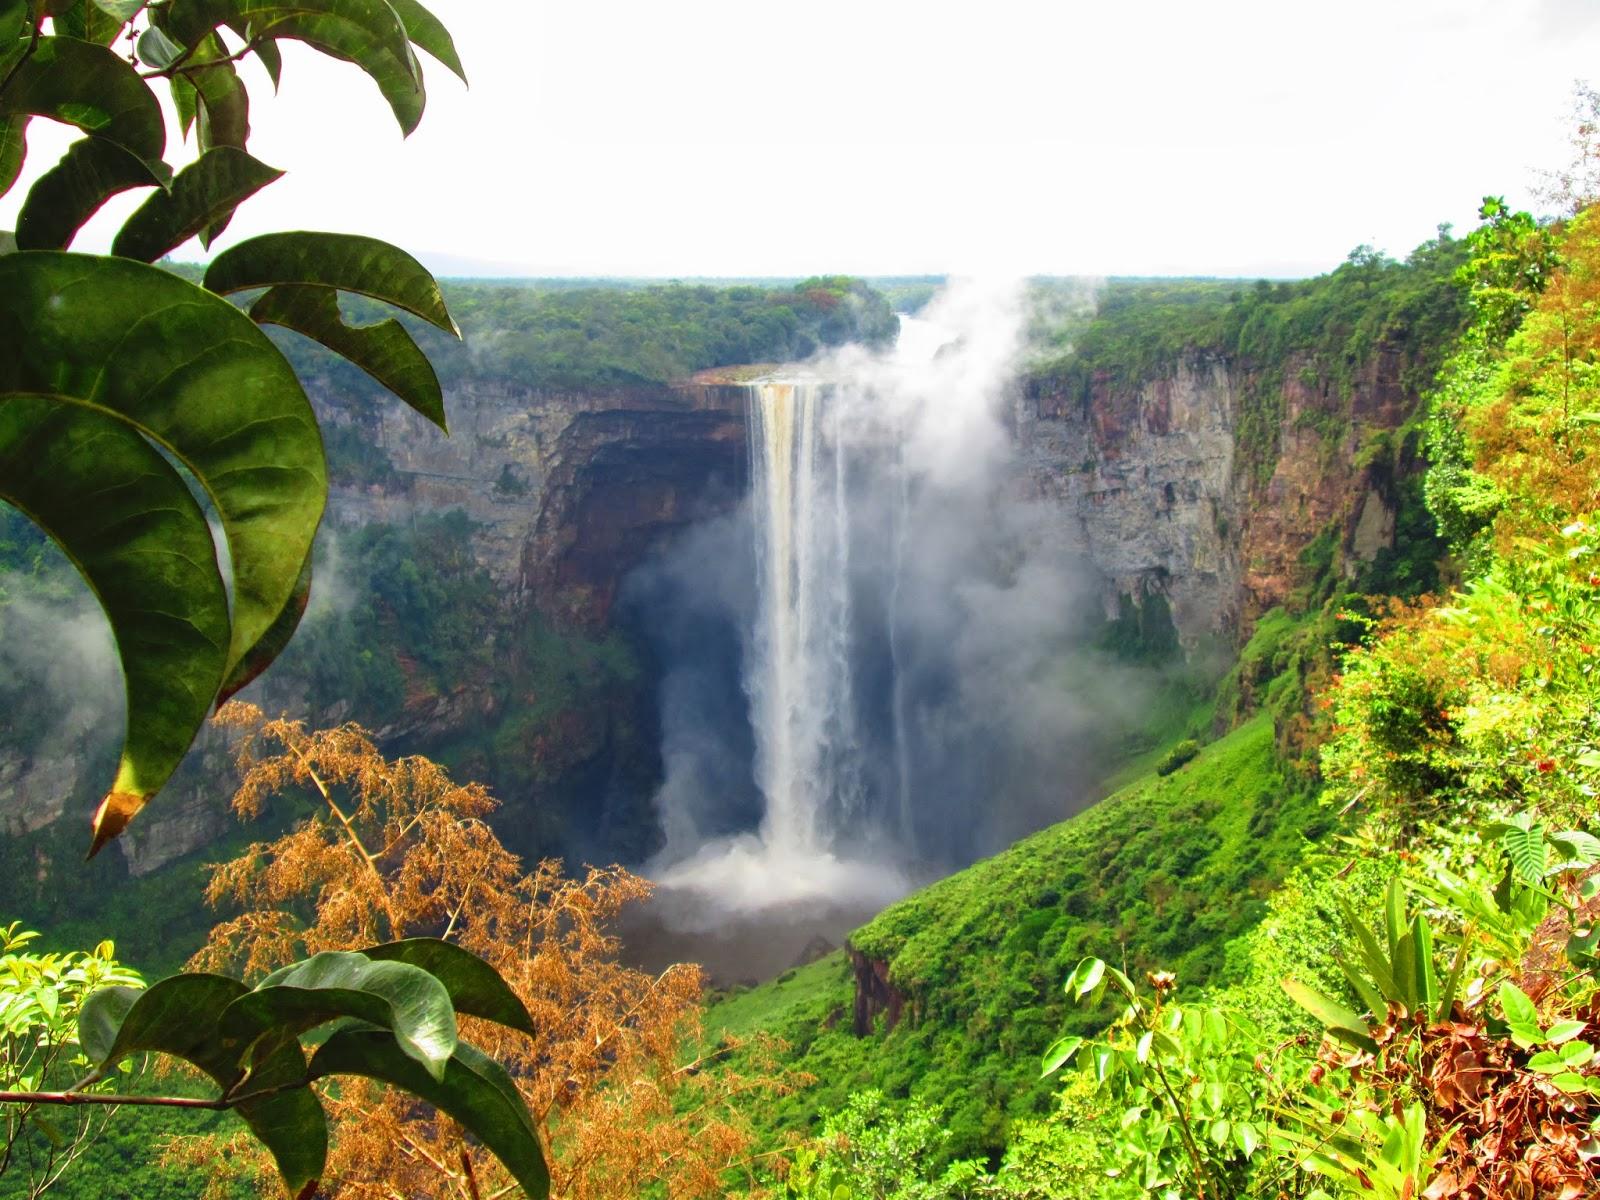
{"x": 142, "y": 542}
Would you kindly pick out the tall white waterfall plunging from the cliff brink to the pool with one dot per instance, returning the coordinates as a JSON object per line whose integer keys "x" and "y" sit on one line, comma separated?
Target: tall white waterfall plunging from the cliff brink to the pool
{"x": 857, "y": 470}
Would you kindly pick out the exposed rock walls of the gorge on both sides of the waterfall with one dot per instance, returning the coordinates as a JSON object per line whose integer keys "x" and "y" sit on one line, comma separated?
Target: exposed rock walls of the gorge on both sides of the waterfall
{"x": 1172, "y": 486}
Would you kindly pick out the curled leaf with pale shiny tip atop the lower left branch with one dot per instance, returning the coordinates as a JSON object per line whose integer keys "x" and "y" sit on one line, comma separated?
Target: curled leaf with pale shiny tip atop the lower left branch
{"x": 346, "y": 985}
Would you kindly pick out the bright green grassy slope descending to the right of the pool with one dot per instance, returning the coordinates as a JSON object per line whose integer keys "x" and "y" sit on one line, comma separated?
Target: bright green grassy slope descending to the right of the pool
{"x": 1166, "y": 871}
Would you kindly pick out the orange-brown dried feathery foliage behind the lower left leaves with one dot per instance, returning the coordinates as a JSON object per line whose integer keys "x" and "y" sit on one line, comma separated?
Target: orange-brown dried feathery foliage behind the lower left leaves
{"x": 399, "y": 850}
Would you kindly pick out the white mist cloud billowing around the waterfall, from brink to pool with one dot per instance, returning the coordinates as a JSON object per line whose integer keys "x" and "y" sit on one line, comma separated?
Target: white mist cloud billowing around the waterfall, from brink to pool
{"x": 932, "y": 714}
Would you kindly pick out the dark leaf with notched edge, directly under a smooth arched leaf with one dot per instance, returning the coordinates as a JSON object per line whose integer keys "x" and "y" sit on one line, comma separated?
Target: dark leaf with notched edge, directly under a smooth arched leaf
{"x": 385, "y": 351}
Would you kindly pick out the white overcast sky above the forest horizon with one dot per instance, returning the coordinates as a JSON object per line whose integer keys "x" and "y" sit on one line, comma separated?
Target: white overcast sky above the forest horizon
{"x": 886, "y": 137}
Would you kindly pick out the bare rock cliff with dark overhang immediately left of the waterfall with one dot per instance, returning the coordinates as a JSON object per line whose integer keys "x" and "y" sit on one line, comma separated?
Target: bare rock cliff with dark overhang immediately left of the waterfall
{"x": 567, "y": 490}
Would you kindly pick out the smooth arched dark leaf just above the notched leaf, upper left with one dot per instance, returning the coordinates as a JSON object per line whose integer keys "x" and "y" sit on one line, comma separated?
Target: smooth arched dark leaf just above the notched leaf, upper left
{"x": 346, "y": 262}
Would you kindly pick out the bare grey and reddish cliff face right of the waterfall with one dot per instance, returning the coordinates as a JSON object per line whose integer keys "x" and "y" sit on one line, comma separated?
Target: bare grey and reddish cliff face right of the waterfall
{"x": 1209, "y": 482}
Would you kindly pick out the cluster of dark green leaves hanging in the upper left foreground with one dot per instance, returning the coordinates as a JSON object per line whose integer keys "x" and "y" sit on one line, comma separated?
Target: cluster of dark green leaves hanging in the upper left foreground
{"x": 122, "y": 383}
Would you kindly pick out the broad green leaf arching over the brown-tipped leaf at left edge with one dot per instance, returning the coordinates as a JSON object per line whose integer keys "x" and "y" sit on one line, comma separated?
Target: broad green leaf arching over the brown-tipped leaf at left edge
{"x": 198, "y": 377}
